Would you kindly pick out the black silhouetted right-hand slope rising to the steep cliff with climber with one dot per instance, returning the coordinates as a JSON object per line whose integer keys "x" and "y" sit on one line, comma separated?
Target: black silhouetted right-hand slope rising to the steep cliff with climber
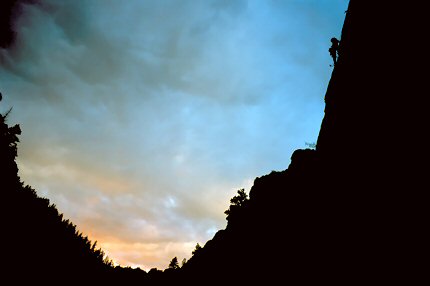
{"x": 345, "y": 212}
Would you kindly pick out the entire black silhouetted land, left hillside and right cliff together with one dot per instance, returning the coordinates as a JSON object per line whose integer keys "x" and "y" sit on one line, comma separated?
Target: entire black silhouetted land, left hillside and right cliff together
{"x": 352, "y": 211}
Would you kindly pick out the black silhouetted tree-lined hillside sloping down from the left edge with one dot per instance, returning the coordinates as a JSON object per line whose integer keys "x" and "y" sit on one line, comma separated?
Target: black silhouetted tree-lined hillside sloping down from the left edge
{"x": 40, "y": 246}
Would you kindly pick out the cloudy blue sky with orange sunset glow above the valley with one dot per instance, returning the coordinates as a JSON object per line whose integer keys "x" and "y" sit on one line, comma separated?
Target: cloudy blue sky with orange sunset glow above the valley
{"x": 141, "y": 119}
